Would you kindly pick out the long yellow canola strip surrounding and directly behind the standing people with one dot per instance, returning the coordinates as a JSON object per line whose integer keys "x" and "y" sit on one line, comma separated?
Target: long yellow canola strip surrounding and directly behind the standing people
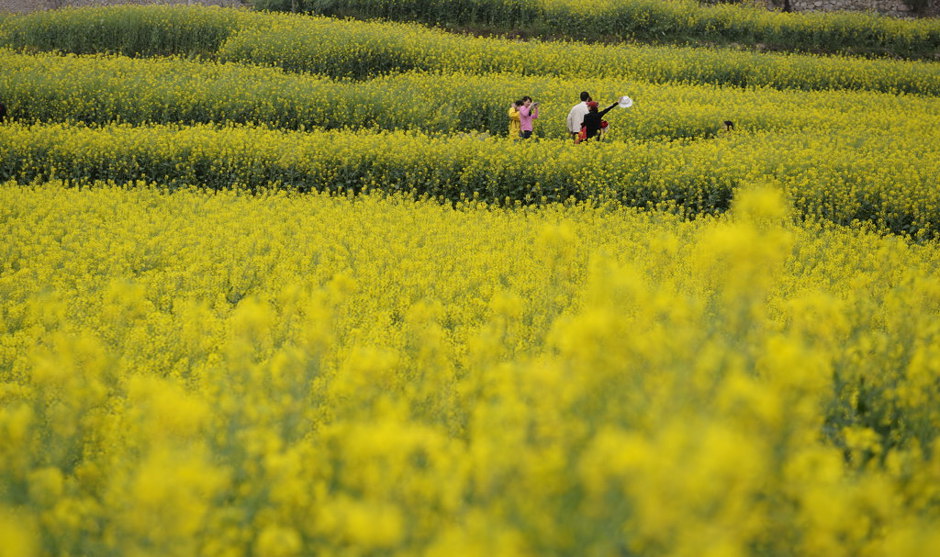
{"x": 99, "y": 90}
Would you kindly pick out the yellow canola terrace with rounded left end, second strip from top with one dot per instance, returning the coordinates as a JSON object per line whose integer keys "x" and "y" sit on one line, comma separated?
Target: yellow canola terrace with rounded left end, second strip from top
{"x": 357, "y": 49}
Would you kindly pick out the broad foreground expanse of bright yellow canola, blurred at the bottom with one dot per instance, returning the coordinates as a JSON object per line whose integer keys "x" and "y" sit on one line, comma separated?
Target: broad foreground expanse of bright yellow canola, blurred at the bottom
{"x": 228, "y": 374}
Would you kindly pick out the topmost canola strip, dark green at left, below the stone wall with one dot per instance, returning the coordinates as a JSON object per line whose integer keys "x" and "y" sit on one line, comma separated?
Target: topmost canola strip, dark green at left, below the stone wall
{"x": 652, "y": 21}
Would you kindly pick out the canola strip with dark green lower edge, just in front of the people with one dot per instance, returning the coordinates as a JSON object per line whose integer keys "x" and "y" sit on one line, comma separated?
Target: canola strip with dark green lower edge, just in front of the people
{"x": 885, "y": 180}
